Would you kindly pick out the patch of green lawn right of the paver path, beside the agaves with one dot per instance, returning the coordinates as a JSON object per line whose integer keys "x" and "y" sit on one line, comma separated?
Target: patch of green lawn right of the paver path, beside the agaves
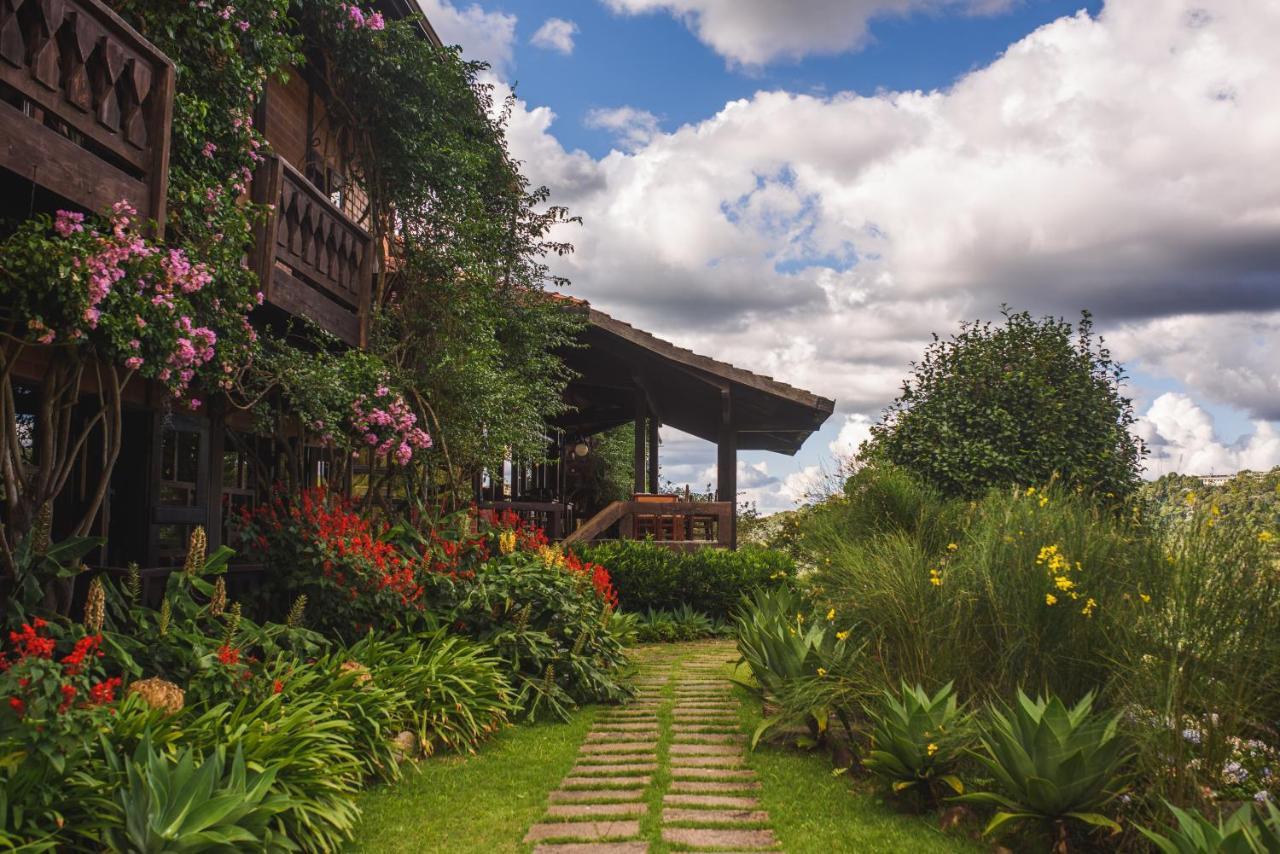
{"x": 815, "y": 812}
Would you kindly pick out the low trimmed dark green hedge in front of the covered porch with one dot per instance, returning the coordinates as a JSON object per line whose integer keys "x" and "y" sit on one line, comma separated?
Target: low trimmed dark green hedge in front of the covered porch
{"x": 708, "y": 581}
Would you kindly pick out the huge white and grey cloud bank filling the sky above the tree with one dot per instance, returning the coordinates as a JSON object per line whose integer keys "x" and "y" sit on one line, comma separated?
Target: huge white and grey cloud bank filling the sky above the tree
{"x": 1122, "y": 163}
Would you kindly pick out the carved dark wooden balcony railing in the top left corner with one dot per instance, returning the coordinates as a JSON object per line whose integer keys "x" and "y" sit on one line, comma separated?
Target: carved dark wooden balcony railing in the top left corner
{"x": 88, "y": 104}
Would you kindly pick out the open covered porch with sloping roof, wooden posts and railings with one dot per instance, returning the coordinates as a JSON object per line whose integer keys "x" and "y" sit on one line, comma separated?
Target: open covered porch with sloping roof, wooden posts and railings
{"x": 627, "y": 376}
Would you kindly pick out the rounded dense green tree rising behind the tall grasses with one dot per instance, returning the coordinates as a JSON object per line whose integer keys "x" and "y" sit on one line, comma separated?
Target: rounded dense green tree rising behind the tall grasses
{"x": 1014, "y": 404}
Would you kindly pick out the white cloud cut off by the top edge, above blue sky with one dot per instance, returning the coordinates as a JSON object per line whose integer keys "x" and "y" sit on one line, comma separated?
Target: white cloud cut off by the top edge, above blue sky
{"x": 753, "y": 33}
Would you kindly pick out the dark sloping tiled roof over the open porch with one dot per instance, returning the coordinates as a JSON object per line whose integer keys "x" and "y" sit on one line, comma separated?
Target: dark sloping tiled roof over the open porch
{"x": 619, "y": 366}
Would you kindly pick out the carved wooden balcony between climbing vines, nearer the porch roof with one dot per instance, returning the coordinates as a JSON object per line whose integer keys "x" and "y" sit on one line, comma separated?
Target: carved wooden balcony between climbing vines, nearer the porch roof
{"x": 313, "y": 261}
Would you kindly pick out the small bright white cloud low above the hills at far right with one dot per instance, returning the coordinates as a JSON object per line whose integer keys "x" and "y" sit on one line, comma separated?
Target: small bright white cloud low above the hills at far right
{"x": 1182, "y": 439}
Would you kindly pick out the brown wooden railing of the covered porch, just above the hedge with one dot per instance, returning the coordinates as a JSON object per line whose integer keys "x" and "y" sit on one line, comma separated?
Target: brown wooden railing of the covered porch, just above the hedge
{"x": 680, "y": 526}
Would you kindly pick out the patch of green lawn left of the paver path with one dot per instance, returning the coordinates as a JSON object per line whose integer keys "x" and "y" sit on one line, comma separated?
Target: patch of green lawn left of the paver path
{"x": 479, "y": 805}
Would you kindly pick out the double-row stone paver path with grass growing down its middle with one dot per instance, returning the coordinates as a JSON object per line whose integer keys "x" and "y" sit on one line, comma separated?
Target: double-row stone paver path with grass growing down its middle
{"x": 669, "y": 765}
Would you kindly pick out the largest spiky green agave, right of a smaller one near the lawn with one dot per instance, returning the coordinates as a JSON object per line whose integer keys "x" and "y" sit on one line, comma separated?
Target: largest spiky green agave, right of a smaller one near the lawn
{"x": 1053, "y": 766}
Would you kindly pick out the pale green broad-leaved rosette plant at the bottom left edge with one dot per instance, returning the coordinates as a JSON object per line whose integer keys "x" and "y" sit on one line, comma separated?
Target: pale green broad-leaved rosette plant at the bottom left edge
{"x": 191, "y": 805}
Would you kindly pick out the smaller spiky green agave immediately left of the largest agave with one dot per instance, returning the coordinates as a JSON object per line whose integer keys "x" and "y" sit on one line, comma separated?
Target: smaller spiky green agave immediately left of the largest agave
{"x": 917, "y": 739}
